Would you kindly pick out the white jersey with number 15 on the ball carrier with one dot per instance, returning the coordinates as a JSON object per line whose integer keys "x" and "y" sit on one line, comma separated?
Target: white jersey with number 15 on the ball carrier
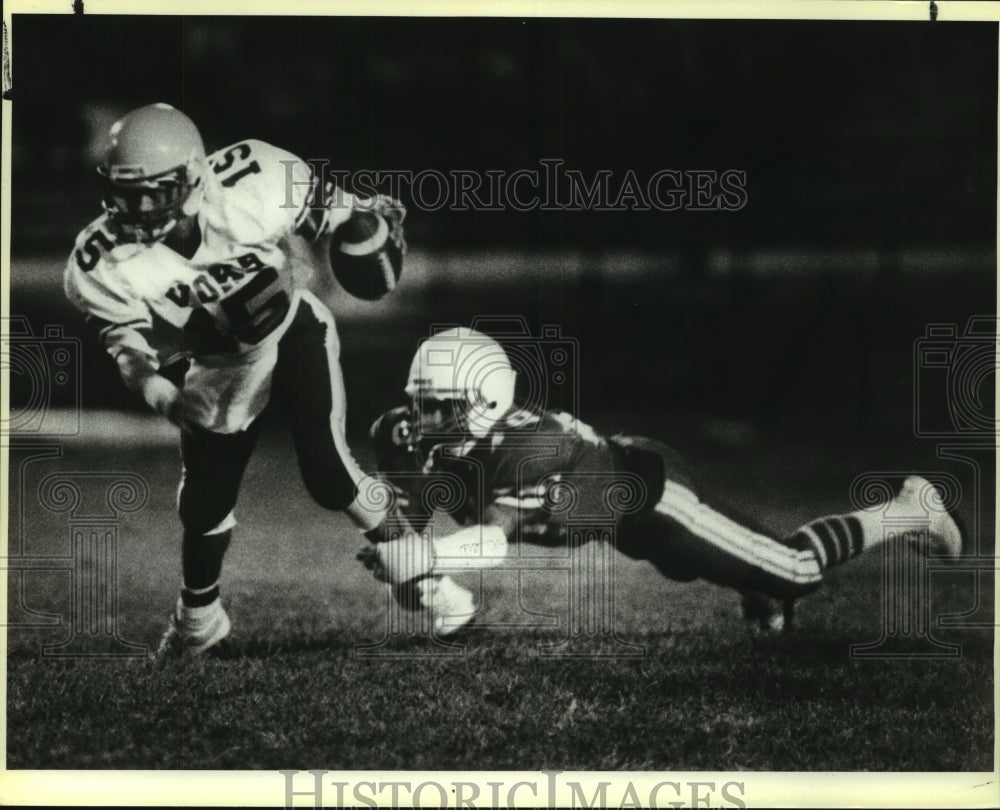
{"x": 227, "y": 306}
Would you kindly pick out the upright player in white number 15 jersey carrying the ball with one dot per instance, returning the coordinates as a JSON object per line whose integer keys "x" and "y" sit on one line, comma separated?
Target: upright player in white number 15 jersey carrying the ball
{"x": 207, "y": 259}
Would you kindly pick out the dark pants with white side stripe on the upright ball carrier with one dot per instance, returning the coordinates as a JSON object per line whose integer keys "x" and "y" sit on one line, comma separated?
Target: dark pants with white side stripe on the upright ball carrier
{"x": 307, "y": 390}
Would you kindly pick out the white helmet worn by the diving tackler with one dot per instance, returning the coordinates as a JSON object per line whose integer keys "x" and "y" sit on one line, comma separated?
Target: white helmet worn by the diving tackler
{"x": 460, "y": 382}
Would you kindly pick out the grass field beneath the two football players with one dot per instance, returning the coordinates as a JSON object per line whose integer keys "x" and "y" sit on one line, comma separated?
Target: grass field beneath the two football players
{"x": 300, "y": 692}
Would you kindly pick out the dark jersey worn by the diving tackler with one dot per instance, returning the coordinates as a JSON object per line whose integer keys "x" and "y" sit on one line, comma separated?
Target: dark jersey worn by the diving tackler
{"x": 541, "y": 477}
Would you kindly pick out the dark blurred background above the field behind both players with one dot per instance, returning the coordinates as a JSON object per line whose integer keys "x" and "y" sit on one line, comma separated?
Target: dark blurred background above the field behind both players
{"x": 869, "y": 151}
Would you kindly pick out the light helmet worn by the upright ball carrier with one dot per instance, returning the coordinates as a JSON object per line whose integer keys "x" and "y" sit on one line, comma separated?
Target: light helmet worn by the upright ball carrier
{"x": 153, "y": 174}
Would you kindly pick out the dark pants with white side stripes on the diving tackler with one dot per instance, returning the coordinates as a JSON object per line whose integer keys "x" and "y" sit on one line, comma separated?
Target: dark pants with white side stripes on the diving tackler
{"x": 687, "y": 539}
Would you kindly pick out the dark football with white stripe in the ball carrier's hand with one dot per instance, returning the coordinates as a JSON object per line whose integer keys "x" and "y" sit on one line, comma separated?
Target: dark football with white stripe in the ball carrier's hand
{"x": 364, "y": 259}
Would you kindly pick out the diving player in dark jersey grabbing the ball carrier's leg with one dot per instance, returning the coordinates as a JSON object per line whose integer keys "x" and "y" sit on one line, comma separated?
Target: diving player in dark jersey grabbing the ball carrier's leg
{"x": 506, "y": 474}
